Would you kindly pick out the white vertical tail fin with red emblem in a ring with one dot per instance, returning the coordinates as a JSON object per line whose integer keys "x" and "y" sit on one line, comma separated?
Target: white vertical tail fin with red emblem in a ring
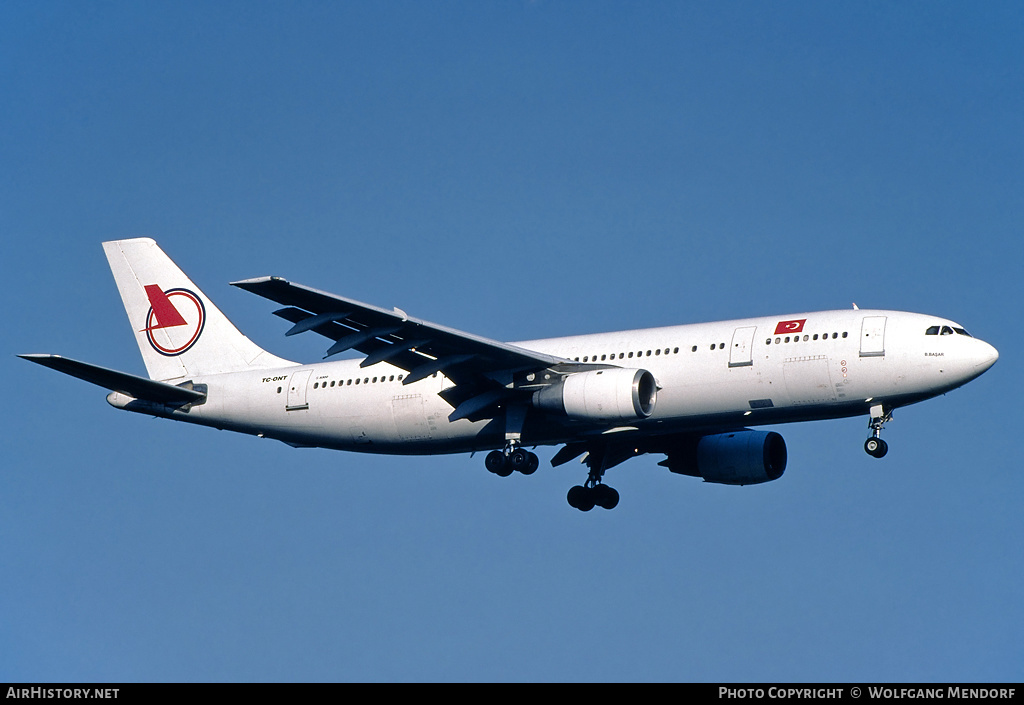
{"x": 179, "y": 329}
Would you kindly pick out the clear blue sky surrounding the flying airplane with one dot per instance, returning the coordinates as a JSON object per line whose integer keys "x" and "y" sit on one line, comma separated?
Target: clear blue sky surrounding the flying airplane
{"x": 518, "y": 171}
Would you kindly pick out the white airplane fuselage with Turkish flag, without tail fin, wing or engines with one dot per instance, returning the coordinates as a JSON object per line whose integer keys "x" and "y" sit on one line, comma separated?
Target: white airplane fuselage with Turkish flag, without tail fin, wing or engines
{"x": 711, "y": 377}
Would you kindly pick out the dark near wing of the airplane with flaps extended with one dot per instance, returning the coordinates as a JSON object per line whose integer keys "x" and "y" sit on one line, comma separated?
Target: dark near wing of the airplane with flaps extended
{"x": 483, "y": 370}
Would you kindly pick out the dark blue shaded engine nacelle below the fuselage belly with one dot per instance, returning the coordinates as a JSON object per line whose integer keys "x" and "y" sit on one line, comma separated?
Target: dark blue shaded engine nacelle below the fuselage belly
{"x": 745, "y": 458}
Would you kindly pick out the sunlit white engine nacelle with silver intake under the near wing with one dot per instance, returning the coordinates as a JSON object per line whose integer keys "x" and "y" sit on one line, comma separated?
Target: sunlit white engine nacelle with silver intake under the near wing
{"x": 614, "y": 394}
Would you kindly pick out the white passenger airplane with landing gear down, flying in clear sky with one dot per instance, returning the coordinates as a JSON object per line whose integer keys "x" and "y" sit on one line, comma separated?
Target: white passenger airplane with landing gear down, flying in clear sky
{"x": 691, "y": 393}
